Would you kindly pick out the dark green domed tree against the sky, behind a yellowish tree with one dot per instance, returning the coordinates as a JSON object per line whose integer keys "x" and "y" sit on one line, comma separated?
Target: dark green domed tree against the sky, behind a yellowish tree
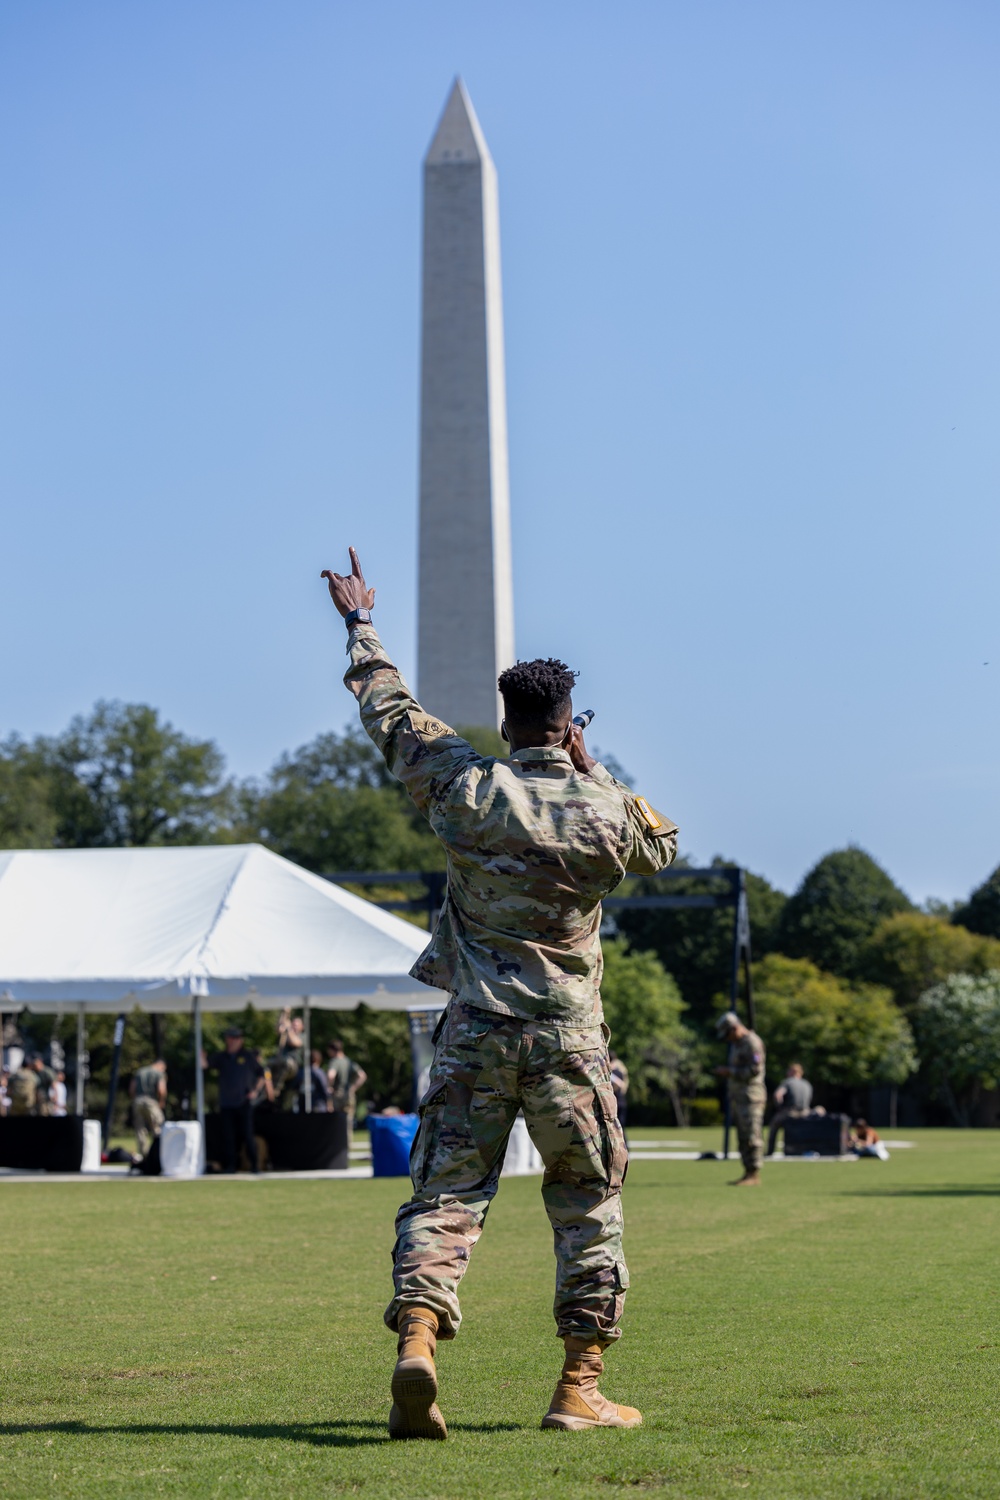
{"x": 836, "y": 911}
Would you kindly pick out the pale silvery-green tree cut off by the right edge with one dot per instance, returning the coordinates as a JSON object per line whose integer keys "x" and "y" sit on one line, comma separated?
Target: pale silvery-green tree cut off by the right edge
{"x": 959, "y": 1036}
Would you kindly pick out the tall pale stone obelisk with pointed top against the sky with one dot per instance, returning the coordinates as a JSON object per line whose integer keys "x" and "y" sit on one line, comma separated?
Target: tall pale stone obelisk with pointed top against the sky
{"x": 466, "y": 632}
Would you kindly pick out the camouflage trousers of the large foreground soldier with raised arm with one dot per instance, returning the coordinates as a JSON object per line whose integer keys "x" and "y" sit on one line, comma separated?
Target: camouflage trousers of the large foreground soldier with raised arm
{"x": 487, "y": 1069}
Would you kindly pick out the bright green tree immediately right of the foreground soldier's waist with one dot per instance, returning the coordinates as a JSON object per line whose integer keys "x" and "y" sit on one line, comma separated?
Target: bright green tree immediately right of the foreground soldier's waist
{"x": 644, "y": 1007}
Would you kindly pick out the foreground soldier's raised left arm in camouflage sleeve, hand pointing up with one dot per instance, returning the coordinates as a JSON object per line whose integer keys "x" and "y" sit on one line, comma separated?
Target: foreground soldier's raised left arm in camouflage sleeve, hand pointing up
{"x": 421, "y": 752}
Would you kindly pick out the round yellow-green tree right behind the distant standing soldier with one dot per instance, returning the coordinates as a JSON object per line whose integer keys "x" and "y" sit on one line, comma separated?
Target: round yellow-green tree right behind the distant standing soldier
{"x": 843, "y": 1034}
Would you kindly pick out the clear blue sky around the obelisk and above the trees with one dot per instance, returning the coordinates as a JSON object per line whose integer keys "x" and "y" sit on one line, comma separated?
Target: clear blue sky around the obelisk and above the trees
{"x": 753, "y": 341}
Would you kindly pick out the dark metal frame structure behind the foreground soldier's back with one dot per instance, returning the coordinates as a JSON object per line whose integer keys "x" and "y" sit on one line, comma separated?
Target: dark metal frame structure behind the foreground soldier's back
{"x": 436, "y": 881}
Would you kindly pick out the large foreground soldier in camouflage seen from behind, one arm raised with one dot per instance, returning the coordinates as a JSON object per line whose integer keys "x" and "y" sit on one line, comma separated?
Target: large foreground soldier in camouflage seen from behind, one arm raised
{"x": 534, "y": 844}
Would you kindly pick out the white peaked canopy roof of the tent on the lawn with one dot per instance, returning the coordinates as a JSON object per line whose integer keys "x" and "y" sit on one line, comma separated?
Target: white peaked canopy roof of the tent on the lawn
{"x": 233, "y": 925}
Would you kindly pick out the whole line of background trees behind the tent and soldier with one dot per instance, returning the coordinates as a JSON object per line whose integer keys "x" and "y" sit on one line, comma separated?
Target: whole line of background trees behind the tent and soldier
{"x": 849, "y": 977}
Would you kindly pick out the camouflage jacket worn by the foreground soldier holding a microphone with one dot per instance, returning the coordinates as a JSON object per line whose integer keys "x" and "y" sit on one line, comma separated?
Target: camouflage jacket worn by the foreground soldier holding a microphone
{"x": 533, "y": 848}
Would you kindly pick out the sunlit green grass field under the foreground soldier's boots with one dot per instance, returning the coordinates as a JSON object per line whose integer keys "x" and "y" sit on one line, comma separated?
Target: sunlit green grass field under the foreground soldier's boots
{"x": 831, "y": 1336}
